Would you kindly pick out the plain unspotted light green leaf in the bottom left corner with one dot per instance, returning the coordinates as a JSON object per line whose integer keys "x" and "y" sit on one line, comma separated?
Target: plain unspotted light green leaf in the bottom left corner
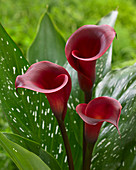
{"x": 22, "y": 157}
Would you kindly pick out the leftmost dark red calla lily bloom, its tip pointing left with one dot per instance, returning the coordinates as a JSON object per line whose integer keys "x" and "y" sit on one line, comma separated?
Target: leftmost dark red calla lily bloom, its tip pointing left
{"x": 50, "y": 79}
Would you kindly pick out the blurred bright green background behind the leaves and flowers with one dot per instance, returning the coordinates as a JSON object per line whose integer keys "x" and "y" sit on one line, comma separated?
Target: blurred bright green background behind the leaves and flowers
{"x": 20, "y": 19}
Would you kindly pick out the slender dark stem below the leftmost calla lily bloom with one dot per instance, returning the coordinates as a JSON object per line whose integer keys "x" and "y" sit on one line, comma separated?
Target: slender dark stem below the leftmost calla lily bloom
{"x": 66, "y": 143}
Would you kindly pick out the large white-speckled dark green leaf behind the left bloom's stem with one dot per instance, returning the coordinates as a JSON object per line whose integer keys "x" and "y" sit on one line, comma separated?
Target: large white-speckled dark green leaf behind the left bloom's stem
{"x": 29, "y": 114}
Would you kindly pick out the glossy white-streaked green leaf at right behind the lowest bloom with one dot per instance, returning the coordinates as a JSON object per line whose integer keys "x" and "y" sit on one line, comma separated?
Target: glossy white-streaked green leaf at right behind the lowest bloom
{"x": 111, "y": 151}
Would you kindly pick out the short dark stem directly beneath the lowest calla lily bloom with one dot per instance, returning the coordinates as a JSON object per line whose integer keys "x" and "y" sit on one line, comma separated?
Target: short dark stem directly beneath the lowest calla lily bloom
{"x": 88, "y": 156}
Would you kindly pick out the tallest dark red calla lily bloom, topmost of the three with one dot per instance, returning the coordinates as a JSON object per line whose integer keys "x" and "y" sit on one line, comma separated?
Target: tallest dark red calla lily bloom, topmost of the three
{"x": 84, "y": 47}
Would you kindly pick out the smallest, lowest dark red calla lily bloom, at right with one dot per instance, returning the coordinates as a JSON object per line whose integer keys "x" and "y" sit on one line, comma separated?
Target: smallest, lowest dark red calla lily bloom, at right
{"x": 96, "y": 112}
